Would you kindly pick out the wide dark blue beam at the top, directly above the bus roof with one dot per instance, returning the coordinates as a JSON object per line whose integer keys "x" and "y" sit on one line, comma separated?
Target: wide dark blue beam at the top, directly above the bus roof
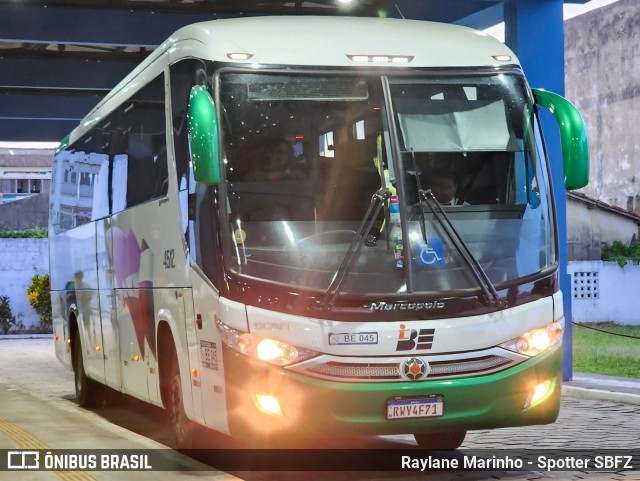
{"x": 100, "y": 23}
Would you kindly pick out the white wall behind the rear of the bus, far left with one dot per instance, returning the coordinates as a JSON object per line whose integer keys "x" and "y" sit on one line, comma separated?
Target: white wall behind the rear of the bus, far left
{"x": 19, "y": 260}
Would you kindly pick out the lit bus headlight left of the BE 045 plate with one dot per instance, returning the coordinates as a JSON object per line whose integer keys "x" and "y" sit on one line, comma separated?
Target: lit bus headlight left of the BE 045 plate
{"x": 265, "y": 349}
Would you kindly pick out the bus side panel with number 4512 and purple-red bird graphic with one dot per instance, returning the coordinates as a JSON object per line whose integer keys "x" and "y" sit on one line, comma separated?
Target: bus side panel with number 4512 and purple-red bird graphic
{"x": 149, "y": 272}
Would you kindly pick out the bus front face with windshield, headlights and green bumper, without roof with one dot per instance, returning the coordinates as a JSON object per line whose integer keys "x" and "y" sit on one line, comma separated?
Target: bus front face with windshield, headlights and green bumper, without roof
{"x": 393, "y": 239}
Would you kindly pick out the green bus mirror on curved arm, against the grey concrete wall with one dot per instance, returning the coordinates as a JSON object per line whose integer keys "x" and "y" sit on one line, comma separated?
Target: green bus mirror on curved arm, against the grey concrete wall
{"x": 573, "y": 137}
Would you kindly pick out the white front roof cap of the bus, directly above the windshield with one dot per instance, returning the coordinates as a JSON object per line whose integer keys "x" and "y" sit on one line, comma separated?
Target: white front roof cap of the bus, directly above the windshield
{"x": 328, "y": 41}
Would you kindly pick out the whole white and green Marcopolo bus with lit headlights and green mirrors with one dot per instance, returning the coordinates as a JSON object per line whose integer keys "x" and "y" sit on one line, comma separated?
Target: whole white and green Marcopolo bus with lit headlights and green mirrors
{"x": 316, "y": 225}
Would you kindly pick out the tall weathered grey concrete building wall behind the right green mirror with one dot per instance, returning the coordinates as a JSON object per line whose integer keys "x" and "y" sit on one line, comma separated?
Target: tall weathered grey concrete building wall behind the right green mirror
{"x": 602, "y": 72}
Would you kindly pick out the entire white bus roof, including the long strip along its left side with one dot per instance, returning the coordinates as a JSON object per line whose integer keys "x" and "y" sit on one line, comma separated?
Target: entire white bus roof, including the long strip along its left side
{"x": 314, "y": 42}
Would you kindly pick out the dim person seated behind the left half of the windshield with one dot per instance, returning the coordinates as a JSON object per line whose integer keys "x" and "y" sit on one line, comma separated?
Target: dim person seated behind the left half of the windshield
{"x": 279, "y": 163}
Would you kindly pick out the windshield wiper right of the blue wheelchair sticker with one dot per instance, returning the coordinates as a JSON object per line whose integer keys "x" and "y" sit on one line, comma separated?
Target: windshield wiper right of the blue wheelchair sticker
{"x": 491, "y": 296}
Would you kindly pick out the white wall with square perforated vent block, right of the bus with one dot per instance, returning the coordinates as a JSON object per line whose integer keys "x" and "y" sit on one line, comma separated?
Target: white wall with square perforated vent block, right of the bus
{"x": 604, "y": 291}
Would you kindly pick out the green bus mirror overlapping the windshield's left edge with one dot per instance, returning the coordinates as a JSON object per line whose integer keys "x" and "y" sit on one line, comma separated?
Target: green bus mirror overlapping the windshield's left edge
{"x": 203, "y": 137}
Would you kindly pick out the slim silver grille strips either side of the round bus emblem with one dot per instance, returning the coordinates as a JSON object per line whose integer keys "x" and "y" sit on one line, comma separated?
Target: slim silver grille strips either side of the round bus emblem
{"x": 440, "y": 369}
